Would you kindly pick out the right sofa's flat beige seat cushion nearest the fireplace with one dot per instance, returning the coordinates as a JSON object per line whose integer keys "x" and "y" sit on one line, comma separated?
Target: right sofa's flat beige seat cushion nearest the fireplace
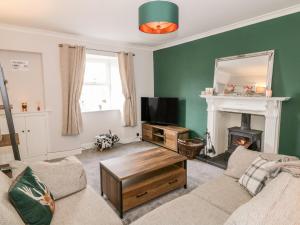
{"x": 223, "y": 192}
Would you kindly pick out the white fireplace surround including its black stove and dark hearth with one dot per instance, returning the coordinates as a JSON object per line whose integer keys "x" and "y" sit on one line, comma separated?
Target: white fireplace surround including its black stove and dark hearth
{"x": 258, "y": 140}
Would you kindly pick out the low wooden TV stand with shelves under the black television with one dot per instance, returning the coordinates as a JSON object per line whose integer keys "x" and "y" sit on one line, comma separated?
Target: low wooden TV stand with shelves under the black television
{"x": 165, "y": 136}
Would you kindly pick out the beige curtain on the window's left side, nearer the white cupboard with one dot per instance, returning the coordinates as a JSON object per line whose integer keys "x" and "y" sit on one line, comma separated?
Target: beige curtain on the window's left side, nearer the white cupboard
{"x": 72, "y": 64}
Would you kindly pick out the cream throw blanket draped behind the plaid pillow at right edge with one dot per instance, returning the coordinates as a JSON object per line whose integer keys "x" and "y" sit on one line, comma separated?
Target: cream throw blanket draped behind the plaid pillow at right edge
{"x": 292, "y": 167}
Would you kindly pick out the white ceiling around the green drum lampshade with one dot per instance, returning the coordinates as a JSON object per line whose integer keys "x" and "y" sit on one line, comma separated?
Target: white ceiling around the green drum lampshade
{"x": 118, "y": 19}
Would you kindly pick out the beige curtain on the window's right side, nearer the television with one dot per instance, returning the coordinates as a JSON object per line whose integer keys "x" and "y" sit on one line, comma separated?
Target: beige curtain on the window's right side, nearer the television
{"x": 128, "y": 88}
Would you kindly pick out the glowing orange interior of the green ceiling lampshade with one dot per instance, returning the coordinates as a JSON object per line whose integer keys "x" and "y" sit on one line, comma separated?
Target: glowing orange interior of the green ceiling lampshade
{"x": 158, "y": 27}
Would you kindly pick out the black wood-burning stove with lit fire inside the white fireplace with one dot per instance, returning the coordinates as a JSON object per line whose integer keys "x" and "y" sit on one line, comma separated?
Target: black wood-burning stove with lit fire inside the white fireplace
{"x": 244, "y": 136}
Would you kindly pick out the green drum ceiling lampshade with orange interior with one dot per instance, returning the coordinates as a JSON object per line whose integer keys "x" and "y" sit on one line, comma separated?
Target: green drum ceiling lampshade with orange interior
{"x": 158, "y": 17}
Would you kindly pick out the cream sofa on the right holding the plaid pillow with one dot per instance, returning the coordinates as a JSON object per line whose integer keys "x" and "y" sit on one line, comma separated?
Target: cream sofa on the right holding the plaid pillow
{"x": 224, "y": 201}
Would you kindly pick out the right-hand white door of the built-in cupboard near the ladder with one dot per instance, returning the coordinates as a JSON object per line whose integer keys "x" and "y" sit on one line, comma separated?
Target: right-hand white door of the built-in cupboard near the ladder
{"x": 36, "y": 136}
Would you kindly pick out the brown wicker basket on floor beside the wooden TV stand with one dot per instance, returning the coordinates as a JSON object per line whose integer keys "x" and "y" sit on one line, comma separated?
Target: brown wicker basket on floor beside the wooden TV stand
{"x": 190, "y": 147}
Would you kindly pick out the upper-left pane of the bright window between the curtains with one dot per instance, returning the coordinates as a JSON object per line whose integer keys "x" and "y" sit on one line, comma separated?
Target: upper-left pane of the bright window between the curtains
{"x": 95, "y": 72}
